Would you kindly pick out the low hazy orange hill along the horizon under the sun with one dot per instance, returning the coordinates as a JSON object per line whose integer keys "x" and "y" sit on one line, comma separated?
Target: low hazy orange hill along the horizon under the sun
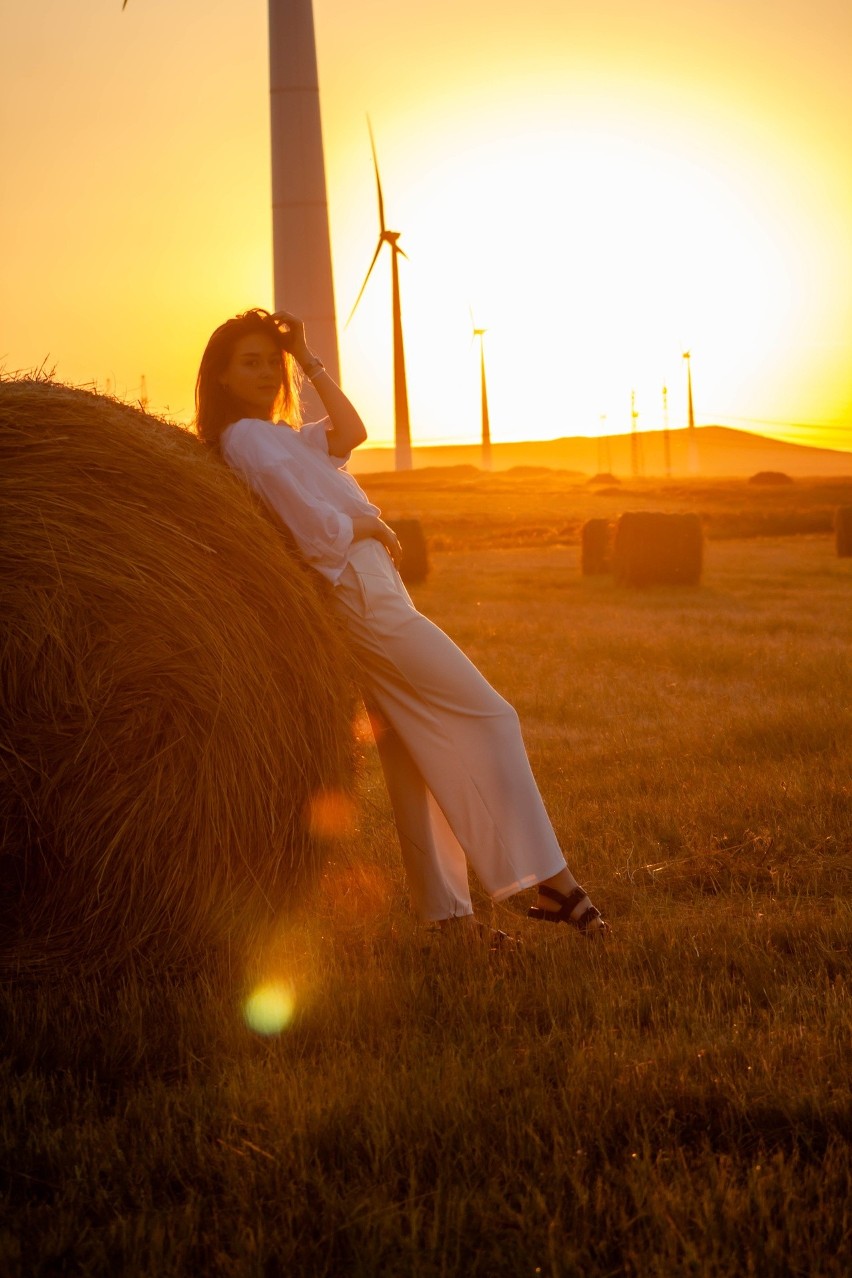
{"x": 724, "y": 453}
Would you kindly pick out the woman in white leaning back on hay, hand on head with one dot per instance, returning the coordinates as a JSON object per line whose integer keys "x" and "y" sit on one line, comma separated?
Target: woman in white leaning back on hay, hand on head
{"x": 452, "y": 750}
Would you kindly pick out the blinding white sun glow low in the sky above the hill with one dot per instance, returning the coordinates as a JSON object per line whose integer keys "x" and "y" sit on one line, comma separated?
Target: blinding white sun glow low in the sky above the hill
{"x": 595, "y": 254}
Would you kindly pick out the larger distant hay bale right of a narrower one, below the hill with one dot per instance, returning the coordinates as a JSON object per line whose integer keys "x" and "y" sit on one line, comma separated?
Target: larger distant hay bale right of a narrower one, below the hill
{"x": 655, "y": 549}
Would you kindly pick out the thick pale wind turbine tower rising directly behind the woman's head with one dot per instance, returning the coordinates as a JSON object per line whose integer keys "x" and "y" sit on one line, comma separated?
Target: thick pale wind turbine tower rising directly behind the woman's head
{"x": 301, "y": 240}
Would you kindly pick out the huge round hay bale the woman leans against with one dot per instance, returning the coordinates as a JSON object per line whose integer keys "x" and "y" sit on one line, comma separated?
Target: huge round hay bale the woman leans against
{"x": 174, "y": 693}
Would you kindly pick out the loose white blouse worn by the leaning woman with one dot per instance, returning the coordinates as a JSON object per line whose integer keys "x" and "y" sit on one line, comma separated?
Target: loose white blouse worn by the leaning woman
{"x": 308, "y": 489}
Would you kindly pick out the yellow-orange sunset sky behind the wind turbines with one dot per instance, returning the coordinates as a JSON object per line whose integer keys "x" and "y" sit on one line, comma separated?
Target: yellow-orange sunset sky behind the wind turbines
{"x": 604, "y": 183}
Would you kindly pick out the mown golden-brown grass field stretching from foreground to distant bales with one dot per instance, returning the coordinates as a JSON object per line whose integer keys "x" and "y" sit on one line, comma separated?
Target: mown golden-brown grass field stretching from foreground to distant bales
{"x": 674, "y": 1102}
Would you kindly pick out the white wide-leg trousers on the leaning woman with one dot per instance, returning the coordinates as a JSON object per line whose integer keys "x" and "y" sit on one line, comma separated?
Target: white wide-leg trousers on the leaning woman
{"x": 452, "y": 748}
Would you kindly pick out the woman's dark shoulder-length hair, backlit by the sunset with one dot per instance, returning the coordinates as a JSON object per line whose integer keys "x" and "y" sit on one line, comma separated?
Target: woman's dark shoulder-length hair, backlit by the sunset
{"x": 215, "y": 406}
